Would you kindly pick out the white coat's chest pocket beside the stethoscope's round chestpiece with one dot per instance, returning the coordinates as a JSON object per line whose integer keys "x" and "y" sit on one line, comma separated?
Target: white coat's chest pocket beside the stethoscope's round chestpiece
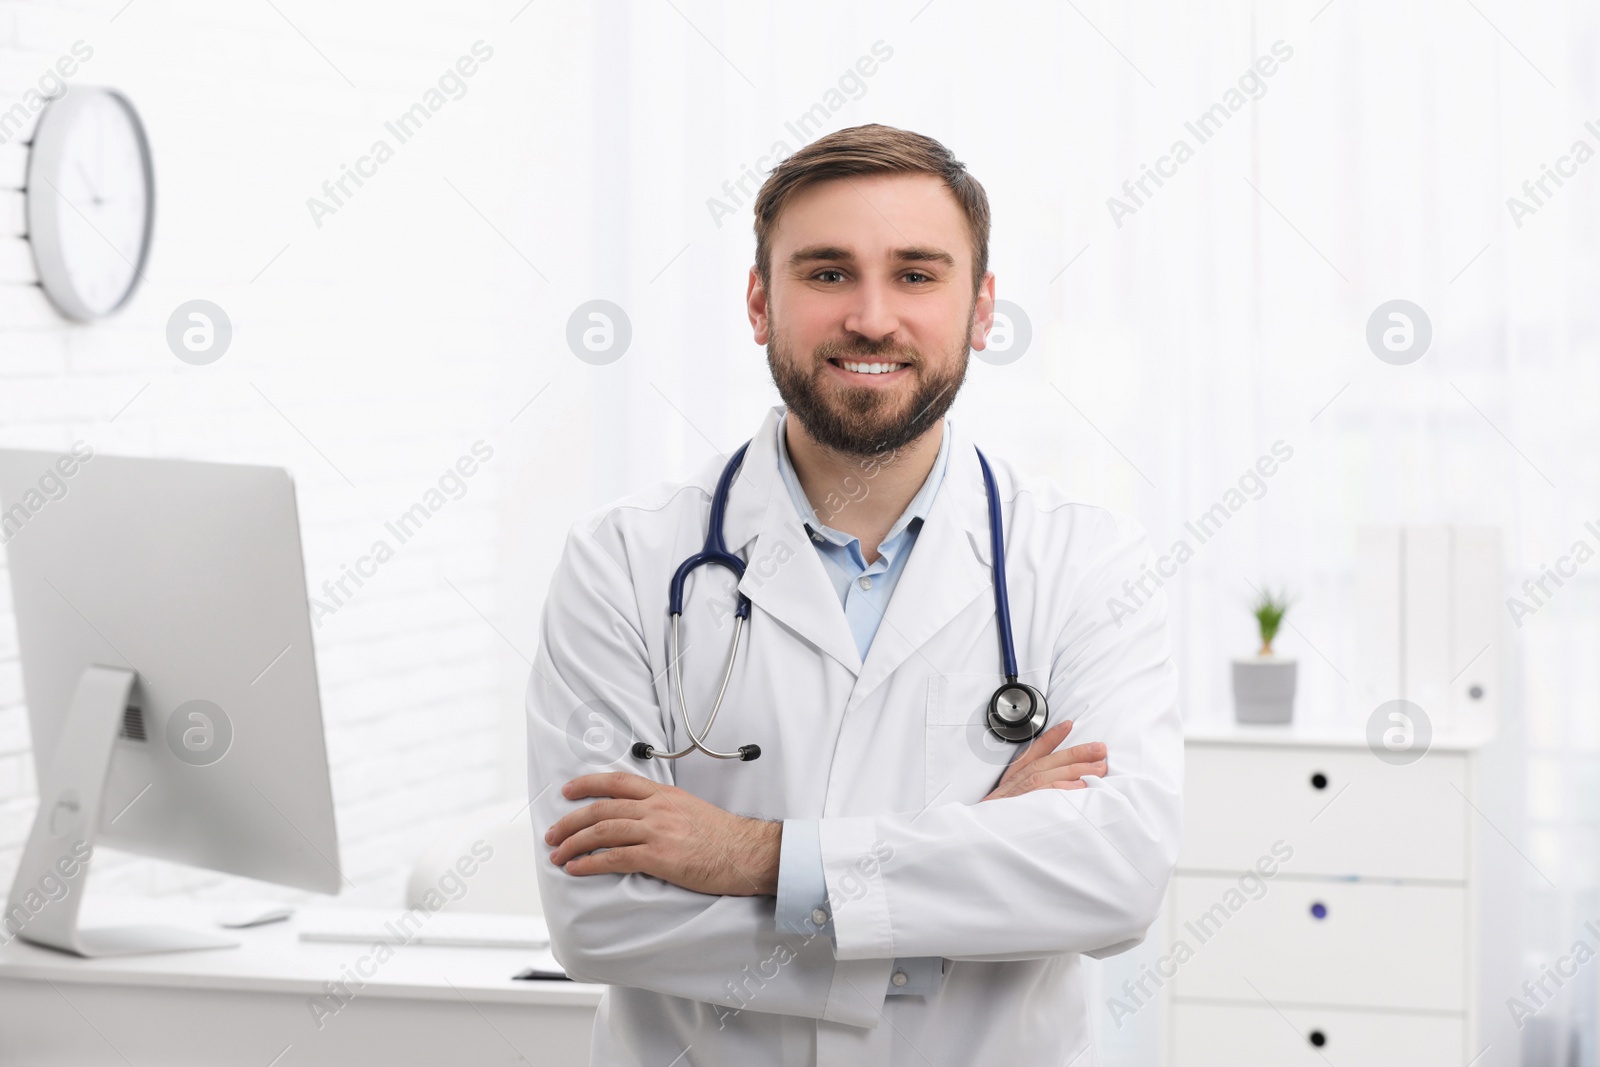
{"x": 964, "y": 761}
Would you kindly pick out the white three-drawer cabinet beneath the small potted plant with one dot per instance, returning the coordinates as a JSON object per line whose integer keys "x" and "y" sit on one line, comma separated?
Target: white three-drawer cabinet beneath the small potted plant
{"x": 1326, "y": 906}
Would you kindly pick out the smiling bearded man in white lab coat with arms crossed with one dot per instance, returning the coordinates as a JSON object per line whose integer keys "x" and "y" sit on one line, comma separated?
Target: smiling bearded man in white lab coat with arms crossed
{"x": 887, "y": 884}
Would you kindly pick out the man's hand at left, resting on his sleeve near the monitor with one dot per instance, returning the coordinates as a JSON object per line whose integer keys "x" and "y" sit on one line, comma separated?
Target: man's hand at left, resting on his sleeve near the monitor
{"x": 666, "y": 833}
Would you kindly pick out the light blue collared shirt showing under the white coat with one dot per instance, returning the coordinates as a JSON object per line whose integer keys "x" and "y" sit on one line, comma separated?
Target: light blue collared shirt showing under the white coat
{"x": 865, "y": 593}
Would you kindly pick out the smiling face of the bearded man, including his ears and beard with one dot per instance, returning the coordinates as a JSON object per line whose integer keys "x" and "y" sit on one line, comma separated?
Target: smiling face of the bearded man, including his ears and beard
{"x": 871, "y": 313}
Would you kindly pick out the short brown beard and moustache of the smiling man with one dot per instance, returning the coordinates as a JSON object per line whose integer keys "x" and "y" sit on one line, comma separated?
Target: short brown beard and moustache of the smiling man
{"x": 865, "y": 422}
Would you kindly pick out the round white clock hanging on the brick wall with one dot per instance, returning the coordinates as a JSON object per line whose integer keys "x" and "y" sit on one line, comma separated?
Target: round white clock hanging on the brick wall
{"x": 90, "y": 201}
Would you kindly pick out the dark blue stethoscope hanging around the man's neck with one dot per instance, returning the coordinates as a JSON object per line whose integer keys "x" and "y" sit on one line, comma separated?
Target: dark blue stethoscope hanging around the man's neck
{"x": 1017, "y": 713}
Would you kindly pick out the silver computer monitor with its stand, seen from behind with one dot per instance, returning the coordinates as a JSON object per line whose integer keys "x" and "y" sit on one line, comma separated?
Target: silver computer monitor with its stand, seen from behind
{"x": 170, "y": 681}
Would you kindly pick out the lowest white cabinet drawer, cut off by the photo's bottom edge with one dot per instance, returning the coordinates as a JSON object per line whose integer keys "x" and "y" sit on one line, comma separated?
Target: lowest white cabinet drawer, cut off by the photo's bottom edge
{"x": 1220, "y": 1036}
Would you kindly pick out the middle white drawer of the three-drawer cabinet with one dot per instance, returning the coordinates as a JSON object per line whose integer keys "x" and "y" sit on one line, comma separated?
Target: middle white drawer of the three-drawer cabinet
{"x": 1377, "y": 946}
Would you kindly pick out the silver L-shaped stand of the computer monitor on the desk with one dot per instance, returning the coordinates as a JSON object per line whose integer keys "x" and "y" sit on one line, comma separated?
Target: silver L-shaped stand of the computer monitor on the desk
{"x": 49, "y": 889}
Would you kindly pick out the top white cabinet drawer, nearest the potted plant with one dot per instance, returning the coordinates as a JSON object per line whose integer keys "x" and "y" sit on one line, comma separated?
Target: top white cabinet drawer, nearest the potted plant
{"x": 1342, "y": 810}
